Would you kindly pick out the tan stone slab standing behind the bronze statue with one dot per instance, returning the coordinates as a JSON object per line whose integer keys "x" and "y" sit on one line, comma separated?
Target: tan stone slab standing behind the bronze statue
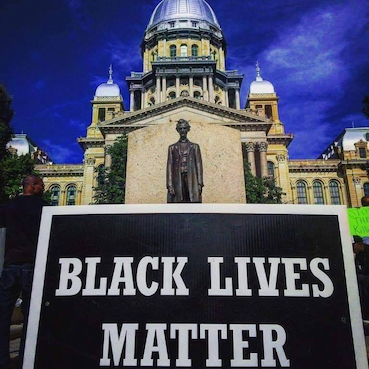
{"x": 221, "y": 155}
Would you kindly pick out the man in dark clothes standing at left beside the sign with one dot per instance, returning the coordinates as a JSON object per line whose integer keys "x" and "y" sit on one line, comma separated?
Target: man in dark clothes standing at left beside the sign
{"x": 21, "y": 217}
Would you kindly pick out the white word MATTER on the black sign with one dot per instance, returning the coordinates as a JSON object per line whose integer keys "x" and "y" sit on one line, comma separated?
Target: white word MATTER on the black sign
{"x": 273, "y": 338}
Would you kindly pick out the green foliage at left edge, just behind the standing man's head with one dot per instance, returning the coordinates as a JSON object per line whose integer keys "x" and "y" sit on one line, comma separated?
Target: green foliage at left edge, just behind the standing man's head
{"x": 13, "y": 169}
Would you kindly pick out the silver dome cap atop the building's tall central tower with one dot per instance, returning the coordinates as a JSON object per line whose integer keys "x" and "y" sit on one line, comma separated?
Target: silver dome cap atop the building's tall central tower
{"x": 172, "y": 10}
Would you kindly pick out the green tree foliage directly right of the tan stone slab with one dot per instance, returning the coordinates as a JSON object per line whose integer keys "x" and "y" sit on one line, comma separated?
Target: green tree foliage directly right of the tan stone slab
{"x": 261, "y": 190}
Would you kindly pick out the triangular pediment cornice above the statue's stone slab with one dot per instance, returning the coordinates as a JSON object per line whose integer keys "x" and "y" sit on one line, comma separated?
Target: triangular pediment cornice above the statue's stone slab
{"x": 242, "y": 120}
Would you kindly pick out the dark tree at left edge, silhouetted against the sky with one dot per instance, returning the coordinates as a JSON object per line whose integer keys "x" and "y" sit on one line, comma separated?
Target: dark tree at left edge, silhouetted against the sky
{"x": 6, "y": 115}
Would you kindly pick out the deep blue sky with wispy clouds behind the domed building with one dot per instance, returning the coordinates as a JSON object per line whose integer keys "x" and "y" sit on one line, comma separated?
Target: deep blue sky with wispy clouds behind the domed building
{"x": 56, "y": 52}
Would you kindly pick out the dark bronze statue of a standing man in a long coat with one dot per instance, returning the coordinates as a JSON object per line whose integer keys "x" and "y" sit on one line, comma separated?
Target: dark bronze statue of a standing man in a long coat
{"x": 184, "y": 168}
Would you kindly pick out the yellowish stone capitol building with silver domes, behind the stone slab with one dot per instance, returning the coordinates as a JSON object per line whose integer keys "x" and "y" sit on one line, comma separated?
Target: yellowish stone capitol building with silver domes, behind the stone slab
{"x": 184, "y": 73}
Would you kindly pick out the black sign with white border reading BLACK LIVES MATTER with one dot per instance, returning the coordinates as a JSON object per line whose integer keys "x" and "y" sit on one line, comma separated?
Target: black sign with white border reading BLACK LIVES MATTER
{"x": 195, "y": 286}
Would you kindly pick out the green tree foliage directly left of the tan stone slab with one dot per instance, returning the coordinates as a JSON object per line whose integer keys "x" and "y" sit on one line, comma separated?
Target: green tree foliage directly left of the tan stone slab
{"x": 111, "y": 182}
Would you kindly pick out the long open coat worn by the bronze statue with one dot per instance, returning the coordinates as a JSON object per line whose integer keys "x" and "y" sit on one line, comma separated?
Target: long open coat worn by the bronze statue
{"x": 194, "y": 172}
